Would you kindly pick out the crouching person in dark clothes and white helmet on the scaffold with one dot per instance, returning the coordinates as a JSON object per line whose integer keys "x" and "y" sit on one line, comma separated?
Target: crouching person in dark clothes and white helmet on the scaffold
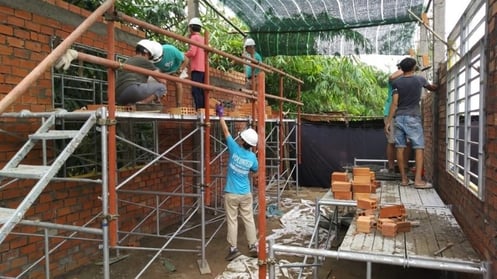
{"x": 132, "y": 87}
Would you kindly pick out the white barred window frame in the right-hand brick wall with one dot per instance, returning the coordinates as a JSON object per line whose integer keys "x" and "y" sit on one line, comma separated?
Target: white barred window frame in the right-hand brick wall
{"x": 465, "y": 106}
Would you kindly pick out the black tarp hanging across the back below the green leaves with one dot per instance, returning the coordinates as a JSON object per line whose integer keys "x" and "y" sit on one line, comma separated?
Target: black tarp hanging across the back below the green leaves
{"x": 328, "y": 147}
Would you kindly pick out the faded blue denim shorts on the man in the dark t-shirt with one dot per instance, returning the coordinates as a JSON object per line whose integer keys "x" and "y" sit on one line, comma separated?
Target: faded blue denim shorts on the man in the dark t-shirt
{"x": 409, "y": 127}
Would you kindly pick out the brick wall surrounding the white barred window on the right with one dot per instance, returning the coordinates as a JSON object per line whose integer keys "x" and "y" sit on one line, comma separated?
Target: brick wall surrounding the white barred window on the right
{"x": 478, "y": 218}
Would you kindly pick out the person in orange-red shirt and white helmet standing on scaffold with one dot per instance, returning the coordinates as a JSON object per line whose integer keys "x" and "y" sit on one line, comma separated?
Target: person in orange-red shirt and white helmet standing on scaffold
{"x": 196, "y": 59}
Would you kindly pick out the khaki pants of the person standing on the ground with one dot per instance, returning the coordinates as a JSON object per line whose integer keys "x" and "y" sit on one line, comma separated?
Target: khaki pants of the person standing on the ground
{"x": 242, "y": 204}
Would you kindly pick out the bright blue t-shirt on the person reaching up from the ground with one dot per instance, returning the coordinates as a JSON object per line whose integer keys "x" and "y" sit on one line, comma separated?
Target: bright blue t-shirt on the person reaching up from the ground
{"x": 241, "y": 162}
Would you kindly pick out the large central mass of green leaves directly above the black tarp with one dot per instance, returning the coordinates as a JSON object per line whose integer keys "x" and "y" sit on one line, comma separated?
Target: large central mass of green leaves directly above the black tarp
{"x": 333, "y": 84}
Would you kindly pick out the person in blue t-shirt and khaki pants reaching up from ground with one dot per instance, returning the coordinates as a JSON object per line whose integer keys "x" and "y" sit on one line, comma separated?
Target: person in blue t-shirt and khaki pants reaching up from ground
{"x": 238, "y": 198}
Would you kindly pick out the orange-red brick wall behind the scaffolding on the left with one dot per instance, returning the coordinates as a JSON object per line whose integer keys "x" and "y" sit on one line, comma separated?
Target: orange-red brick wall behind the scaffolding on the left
{"x": 25, "y": 35}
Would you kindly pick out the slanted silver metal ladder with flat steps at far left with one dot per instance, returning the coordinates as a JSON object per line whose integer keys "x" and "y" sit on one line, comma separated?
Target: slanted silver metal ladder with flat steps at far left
{"x": 10, "y": 217}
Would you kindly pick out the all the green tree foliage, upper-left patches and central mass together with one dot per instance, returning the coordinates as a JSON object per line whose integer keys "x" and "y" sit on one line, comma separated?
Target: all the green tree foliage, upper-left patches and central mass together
{"x": 331, "y": 83}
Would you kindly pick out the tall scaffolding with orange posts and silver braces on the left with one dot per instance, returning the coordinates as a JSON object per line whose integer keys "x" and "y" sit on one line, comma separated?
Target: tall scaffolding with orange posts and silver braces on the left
{"x": 278, "y": 172}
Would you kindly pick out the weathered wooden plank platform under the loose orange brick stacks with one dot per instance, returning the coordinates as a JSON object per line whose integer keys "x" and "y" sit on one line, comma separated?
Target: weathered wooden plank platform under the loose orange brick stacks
{"x": 438, "y": 236}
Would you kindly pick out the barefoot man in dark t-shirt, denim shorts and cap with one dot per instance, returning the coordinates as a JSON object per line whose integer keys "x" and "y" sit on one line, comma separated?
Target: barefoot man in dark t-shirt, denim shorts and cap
{"x": 405, "y": 114}
